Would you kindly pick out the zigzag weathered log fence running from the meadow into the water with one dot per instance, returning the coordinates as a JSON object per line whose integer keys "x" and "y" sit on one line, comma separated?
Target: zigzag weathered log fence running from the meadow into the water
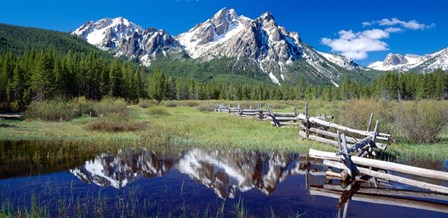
{"x": 351, "y": 165}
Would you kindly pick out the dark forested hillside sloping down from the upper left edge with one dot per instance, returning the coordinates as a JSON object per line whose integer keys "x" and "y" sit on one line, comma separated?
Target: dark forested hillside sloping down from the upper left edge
{"x": 18, "y": 40}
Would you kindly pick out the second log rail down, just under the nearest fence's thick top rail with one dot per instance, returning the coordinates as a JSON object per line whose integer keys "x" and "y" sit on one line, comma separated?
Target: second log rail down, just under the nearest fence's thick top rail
{"x": 402, "y": 180}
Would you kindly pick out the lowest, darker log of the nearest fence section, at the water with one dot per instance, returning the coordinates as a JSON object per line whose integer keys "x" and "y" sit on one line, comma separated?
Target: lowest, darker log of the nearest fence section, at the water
{"x": 385, "y": 200}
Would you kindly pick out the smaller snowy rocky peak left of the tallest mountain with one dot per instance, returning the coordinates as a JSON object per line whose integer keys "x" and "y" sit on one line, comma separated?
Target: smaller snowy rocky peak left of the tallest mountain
{"x": 122, "y": 37}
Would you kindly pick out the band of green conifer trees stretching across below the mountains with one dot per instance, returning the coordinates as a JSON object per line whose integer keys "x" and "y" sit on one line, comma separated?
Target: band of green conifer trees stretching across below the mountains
{"x": 39, "y": 75}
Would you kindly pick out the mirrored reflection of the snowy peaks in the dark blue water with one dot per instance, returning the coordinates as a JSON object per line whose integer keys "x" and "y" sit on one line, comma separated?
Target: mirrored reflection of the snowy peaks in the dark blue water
{"x": 226, "y": 172}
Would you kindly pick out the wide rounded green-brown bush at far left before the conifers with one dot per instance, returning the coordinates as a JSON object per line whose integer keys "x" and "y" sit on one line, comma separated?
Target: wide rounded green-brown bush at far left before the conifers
{"x": 55, "y": 110}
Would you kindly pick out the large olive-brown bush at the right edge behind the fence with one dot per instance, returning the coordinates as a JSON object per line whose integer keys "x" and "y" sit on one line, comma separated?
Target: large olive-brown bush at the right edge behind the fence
{"x": 421, "y": 122}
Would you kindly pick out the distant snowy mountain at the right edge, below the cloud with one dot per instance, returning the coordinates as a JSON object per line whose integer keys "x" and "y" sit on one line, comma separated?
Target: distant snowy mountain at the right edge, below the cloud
{"x": 415, "y": 63}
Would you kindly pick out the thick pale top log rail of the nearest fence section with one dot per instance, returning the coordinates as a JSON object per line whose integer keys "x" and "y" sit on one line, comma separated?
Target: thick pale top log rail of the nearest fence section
{"x": 416, "y": 171}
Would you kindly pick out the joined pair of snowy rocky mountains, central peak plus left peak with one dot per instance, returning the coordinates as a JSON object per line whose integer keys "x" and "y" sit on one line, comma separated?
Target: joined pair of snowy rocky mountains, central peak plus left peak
{"x": 246, "y": 43}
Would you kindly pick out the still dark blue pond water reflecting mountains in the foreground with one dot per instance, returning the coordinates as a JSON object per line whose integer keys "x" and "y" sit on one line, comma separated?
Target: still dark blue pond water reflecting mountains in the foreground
{"x": 57, "y": 180}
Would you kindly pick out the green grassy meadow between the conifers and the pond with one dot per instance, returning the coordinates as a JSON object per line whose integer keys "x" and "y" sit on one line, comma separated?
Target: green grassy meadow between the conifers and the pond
{"x": 190, "y": 123}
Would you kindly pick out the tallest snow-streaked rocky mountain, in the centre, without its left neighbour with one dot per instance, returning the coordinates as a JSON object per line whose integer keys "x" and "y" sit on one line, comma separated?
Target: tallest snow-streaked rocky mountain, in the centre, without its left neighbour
{"x": 261, "y": 42}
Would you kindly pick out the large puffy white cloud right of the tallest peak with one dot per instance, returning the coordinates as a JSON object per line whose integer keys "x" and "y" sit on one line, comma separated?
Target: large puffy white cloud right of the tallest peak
{"x": 356, "y": 45}
